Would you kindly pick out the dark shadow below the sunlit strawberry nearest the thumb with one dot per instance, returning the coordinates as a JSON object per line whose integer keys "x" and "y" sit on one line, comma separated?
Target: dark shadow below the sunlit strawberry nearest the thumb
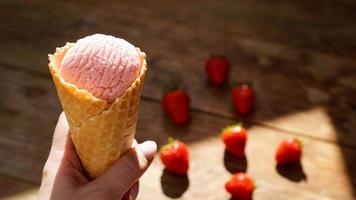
{"x": 174, "y": 185}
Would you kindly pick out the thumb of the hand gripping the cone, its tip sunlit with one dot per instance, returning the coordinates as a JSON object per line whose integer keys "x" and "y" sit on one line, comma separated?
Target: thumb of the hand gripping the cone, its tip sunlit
{"x": 126, "y": 171}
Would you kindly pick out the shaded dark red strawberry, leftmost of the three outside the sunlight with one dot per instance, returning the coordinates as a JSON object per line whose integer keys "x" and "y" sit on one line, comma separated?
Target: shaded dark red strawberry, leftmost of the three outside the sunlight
{"x": 176, "y": 105}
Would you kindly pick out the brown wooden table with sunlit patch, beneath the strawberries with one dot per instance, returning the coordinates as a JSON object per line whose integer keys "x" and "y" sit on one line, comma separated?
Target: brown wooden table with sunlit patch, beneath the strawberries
{"x": 300, "y": 57}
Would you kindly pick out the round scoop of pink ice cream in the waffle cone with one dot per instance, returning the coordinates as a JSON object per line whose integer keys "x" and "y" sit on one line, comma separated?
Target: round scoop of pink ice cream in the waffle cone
{"x": 103, "y": 65}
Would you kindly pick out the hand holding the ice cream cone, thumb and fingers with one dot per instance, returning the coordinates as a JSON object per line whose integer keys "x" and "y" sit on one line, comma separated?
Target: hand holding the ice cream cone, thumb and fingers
{"x": 63, "y": 174}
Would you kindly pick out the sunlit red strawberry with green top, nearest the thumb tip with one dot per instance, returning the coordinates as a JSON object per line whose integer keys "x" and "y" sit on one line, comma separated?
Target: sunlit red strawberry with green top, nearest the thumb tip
{"x": 174, "y": 156}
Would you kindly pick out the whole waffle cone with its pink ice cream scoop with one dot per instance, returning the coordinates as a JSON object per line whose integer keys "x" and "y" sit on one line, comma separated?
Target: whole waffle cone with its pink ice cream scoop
{"x": 99, "y": 80}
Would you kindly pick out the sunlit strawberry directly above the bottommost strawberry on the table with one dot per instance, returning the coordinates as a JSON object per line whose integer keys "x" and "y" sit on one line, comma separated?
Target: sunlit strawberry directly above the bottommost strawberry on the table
{"x": 235, "y": 138}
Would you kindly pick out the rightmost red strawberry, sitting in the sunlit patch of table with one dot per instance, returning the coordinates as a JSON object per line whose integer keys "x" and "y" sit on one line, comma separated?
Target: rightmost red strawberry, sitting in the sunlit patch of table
{"x": 289, "y": 150}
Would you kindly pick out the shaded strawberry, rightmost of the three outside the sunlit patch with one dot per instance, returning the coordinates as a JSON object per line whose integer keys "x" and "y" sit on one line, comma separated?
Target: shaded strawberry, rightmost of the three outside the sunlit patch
{"x": 242, "y": 98}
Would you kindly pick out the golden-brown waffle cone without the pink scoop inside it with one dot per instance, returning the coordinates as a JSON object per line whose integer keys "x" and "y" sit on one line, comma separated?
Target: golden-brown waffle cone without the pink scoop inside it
{"x": 100, "y": 132}
